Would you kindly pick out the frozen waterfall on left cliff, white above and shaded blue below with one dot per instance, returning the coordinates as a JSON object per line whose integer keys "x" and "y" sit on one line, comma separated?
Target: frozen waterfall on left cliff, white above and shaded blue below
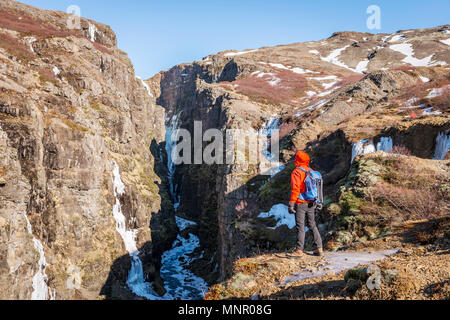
{"x": 136, "y": 281}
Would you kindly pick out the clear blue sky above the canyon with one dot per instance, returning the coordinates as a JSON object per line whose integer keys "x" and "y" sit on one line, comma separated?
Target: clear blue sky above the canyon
{"x": 160, "y": 34}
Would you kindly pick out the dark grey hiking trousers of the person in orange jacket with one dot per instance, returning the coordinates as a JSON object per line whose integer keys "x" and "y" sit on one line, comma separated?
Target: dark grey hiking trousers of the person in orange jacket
{"x": 306, "y": 210}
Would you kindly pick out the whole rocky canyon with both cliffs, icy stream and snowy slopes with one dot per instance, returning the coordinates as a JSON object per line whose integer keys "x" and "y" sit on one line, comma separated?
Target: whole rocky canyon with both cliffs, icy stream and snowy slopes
{"x": 93, "y": 206}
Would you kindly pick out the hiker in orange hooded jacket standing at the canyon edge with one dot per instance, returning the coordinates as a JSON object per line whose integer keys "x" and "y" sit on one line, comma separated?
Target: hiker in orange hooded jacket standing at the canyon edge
{"x": 305, "y": 208}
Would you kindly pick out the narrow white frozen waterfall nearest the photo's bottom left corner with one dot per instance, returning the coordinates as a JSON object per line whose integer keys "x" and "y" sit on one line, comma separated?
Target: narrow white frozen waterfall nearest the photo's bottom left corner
{"x": 41, "y": 291}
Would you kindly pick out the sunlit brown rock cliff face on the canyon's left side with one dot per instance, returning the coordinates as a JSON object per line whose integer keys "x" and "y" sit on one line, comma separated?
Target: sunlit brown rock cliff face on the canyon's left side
{"x": 70, "y": 108}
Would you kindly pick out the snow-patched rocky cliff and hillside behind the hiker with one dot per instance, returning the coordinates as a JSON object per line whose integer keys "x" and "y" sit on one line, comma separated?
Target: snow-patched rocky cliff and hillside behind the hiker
{"x": 330, "y": 97}
